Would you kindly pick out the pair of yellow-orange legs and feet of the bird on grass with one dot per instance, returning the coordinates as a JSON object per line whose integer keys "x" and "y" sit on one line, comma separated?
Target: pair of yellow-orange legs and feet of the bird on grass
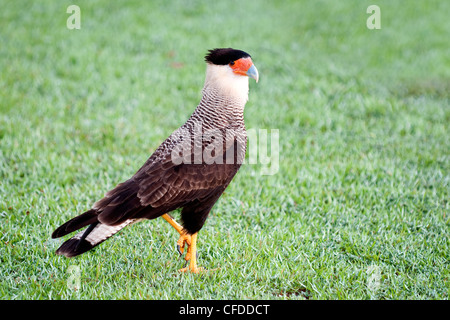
{"x": 185, "y": 238}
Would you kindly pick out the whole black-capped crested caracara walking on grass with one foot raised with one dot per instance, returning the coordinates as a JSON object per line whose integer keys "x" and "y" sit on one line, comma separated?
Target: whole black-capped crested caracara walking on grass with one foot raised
{"x": 189, "y": 171}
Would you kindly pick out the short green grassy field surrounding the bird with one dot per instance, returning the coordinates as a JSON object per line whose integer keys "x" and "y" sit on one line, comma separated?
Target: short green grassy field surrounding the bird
{"x": 359, "y": 208}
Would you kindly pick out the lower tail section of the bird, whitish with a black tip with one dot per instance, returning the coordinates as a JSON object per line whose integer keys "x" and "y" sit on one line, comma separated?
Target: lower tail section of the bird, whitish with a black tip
{"x": 85, "y": 240}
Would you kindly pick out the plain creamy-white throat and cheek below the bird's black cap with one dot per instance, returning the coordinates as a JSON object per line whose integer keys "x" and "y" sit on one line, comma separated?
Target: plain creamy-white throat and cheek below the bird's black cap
{"x": 226, "y": 82}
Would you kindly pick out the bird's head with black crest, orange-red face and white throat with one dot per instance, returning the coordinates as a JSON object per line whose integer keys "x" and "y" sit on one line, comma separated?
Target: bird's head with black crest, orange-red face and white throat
{"x": 228, "y": 70}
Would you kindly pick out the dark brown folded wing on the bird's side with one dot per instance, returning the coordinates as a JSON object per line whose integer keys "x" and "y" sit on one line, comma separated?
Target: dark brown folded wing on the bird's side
{"x": 163, "y": 185}
